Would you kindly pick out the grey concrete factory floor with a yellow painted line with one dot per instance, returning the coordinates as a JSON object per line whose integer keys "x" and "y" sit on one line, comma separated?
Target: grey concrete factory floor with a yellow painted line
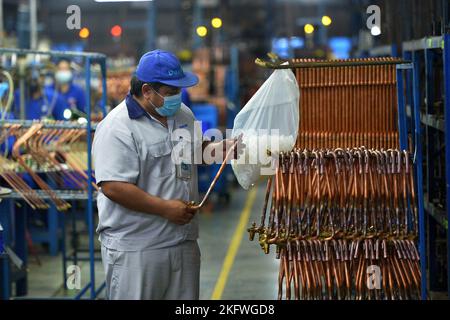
{"x": 232, "y": 266}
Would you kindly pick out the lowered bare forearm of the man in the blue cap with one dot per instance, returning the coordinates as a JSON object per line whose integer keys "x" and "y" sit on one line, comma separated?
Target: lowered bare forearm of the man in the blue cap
{"x": 133, "y": 198}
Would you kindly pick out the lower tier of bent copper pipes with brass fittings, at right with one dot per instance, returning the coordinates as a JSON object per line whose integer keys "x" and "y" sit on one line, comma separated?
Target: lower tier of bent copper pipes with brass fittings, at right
{"x": 335, "y": 213}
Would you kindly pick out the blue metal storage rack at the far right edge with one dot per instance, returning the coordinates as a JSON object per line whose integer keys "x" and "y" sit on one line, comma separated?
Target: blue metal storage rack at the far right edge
{"x": 426, "y": 53}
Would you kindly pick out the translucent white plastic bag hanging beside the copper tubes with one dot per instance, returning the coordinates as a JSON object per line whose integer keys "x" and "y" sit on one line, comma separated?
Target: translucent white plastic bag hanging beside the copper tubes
{"x": 269, "y": 124}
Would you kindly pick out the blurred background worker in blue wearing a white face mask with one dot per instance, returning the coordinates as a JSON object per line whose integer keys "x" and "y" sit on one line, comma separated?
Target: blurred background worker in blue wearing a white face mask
{"x": 72, "y": 93}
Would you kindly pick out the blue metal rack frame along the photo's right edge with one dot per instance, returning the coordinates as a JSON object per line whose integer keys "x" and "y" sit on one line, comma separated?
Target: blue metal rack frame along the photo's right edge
{"x": 432, "y": 49}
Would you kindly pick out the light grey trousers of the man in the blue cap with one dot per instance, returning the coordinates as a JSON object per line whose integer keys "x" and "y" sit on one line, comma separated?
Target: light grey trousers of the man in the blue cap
{"x": 157, "y": 274}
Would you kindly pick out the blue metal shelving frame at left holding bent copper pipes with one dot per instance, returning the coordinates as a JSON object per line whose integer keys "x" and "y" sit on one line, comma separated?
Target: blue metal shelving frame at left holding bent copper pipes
{"x": 7, "y": 216}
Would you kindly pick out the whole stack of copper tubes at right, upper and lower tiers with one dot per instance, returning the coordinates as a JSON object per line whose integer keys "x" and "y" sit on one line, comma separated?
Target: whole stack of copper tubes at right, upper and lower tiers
{"x": 341, "y": 208}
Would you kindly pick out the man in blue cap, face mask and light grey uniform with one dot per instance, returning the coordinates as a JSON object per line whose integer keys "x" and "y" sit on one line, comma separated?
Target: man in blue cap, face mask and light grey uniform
{"x": 147, "y": 228}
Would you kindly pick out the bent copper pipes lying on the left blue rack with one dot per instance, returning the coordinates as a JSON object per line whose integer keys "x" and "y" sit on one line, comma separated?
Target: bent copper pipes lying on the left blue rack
{"x": 37, "y": 152}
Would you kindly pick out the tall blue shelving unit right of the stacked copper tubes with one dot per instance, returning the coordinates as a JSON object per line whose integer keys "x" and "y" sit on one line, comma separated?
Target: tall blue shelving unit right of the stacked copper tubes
{"x": 426, "y": 53}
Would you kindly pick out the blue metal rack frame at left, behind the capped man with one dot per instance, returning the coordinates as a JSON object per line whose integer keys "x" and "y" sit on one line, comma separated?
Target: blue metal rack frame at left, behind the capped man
{"x": 89, "y": 59}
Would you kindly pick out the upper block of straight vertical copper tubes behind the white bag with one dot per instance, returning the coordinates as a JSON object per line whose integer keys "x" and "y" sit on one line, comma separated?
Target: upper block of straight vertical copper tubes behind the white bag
{"x": 348, "y": 106}
